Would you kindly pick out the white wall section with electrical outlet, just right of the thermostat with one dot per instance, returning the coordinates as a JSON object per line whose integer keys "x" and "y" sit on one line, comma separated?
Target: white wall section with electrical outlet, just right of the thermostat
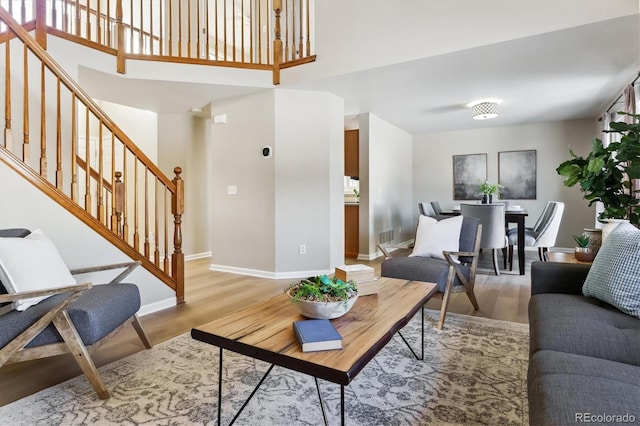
{"x": 309, "y": 160}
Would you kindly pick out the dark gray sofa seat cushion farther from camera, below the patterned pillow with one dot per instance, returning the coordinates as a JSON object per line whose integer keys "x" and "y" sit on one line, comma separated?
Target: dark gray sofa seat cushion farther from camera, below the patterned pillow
{"x": 584, "y": 326}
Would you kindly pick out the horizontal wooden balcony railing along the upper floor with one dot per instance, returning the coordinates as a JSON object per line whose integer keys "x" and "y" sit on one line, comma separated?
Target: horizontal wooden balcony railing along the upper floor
{"x": 256, "y": 34}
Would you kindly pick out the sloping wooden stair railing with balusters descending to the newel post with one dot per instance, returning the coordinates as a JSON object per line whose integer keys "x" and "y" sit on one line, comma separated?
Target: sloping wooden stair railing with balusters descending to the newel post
{"x": 96, "y": 171}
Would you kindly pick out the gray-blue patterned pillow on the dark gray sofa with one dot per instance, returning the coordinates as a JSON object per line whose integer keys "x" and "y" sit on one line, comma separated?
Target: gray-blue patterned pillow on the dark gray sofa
{"x": 614, "y": 276}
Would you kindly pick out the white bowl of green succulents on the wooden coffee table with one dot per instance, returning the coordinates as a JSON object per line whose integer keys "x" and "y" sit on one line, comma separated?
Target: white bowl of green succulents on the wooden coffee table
{"x": 322, "y": 296}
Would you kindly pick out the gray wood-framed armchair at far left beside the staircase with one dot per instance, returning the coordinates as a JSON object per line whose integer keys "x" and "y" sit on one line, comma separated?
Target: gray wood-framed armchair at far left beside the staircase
{"x": 71, "y": 319}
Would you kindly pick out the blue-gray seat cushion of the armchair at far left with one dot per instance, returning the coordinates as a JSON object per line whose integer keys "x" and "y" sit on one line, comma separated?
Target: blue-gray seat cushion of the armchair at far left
{"x": 95, "y": 314}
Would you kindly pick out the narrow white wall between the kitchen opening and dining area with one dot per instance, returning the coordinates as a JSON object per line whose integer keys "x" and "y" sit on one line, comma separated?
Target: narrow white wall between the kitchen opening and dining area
{"x": 386, "y": 182}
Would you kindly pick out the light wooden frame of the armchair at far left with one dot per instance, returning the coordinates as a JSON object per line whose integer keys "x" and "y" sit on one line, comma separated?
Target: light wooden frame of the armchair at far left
{"x": 15, "y": 350}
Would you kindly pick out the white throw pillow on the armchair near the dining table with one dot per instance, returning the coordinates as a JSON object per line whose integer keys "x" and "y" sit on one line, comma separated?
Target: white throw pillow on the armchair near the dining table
{"x": 433, "y": 237}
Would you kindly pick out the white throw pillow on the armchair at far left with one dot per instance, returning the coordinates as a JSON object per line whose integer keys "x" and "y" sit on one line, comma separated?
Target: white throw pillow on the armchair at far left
{"x": 32, "y": 263}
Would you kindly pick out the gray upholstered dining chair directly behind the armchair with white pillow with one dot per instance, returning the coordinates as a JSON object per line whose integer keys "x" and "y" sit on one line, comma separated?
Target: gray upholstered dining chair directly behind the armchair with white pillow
{"x": 493, "y": 228}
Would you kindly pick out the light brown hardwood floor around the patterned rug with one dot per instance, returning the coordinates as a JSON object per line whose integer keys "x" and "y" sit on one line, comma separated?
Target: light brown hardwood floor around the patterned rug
{"x": 211, "y": 294}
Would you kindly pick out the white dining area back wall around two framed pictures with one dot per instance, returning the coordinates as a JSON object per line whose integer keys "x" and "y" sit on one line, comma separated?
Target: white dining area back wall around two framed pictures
{"x": 433, "y": 166}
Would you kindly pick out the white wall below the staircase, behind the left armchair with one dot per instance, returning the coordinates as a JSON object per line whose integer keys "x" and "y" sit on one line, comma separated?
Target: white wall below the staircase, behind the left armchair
{"x": 22, "y": 205}
